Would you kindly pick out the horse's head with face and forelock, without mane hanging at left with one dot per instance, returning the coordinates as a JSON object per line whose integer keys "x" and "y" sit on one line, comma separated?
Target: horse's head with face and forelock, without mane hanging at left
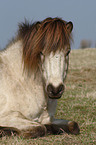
{"x": 54, "y": 58}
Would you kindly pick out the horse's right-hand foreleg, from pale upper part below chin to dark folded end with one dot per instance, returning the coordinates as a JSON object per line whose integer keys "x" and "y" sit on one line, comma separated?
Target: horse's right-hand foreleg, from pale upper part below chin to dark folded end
{"x": 59, "y": 125}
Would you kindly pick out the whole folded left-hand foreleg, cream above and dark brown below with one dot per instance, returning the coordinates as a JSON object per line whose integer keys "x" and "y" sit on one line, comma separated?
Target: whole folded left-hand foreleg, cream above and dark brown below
{"x": 16, "y": 123}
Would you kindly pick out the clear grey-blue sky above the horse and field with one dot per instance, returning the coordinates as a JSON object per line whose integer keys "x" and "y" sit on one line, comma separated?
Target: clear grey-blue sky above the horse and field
{"x": 81, "y": 12}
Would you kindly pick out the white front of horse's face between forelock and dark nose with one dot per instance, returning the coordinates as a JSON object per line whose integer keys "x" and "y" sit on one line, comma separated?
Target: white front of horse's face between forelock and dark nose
{"x": 53, "y": 69}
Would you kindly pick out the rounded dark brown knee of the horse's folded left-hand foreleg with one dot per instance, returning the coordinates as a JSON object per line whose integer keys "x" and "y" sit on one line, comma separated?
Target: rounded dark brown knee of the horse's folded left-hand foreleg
{"x": 34, "y": 132}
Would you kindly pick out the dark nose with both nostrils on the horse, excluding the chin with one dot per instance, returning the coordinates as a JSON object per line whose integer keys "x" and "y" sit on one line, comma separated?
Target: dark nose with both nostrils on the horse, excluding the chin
{"x": 55, "y": 91}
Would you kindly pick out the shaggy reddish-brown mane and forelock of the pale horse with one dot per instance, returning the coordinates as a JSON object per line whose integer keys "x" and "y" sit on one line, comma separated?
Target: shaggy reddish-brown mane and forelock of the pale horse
{"x": 46, "y": 36}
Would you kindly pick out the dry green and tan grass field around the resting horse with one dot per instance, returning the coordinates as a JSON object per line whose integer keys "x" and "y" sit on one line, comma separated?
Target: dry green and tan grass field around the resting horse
{"x": 78, "y": 103}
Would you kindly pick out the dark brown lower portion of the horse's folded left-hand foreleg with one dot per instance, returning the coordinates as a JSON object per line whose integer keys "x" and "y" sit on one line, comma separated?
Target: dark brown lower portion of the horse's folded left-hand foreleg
{"x": 29, "y": 132}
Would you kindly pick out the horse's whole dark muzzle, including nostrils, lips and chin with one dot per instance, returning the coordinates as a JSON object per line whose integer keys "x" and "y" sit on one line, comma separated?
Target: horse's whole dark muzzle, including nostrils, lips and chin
{"x": 55, "y": 92}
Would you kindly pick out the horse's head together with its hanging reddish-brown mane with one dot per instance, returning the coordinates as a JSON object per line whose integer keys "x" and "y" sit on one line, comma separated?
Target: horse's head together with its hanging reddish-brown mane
{"x": 46, "y": 46}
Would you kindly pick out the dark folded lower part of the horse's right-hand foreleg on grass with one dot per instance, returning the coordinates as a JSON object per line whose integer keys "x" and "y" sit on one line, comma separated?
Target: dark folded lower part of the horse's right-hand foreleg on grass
{"x": 60, "y": 126}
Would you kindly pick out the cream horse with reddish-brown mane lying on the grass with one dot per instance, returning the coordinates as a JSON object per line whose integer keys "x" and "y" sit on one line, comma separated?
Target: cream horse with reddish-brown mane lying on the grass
{"x": 33, "y": 68}
